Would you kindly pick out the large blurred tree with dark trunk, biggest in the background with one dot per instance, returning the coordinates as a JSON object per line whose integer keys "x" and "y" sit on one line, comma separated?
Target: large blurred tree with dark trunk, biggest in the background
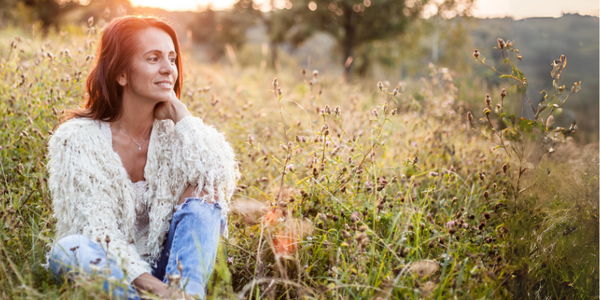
{"x": 354, "y": 23}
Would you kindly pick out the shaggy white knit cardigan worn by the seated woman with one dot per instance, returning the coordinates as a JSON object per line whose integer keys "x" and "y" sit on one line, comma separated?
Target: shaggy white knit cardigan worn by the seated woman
{"x": 93, "y": 194}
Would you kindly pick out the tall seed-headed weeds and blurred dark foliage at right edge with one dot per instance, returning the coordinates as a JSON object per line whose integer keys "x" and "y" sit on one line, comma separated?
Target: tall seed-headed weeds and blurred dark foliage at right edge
{"x": 548, "y": 208}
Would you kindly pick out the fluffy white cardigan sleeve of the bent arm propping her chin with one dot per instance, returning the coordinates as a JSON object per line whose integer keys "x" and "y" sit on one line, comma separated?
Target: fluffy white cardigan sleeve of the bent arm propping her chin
{"x": 207, "y": 160}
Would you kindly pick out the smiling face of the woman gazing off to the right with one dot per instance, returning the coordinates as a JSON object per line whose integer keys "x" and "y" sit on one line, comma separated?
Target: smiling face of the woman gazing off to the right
{"x": 153, "y": 67}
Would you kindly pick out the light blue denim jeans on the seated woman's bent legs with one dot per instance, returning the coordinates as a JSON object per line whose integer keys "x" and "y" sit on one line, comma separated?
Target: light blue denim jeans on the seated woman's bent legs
{"x": 193, "y": 240}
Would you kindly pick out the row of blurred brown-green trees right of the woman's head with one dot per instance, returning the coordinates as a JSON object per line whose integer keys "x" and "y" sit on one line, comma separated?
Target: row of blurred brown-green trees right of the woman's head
{"x": 353, "y": 24}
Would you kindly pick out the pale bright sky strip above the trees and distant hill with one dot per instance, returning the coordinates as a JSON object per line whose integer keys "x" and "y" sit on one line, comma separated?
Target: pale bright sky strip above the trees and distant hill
{"x": 518, "y": 9}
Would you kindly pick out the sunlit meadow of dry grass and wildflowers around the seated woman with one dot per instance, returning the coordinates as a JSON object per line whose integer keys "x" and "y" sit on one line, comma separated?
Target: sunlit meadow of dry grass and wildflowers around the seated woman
{"x": 348, "y": 191}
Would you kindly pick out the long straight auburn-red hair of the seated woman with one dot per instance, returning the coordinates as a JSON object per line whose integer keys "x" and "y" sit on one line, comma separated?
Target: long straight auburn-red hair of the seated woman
{"x": 115, "y": 51}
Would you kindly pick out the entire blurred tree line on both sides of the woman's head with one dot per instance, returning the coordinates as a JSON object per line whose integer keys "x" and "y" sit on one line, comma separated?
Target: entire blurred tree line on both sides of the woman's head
{"x": 355, "y": 25}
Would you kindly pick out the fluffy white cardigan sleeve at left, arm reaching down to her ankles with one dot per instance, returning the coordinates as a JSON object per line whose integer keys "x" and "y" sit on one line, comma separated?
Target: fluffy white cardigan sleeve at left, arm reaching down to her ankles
{"x": 86, "y": 197}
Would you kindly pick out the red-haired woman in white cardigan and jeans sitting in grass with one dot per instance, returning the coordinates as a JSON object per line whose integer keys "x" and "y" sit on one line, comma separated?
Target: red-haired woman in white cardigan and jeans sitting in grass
{"x": 134, "y": 175}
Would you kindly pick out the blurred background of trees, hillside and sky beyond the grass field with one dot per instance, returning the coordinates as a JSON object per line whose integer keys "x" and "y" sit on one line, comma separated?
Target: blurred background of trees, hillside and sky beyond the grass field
{"x": 358, "y": 39}
